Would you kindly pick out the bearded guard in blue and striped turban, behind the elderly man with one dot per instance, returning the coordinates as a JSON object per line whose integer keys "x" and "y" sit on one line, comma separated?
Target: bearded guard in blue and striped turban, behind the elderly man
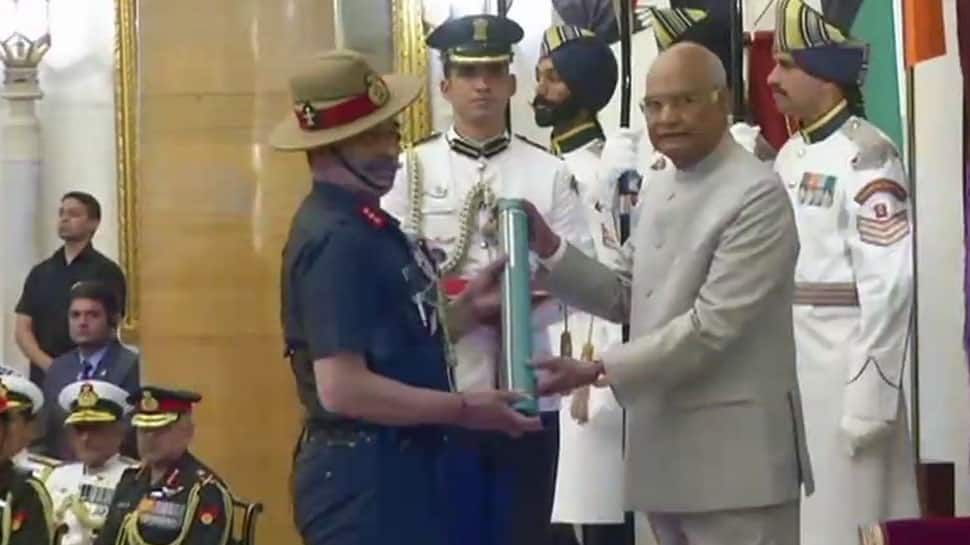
{"x": 576, "y": 76}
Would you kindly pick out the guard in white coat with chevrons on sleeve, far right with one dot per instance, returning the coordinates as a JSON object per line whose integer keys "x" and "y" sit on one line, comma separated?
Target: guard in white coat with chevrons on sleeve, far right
{"x": 854, "y": 281}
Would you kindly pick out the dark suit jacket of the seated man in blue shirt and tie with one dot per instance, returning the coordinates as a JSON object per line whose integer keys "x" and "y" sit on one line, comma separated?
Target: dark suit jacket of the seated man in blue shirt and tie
{"x": 119, "y": 366}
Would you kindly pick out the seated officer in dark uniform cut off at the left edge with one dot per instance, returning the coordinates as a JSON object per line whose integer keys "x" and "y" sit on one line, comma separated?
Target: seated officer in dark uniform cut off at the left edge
{"x": 26, "y": 506}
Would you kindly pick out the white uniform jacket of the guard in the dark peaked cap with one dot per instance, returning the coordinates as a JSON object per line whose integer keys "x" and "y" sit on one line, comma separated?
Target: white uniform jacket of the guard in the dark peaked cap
{"x": 437, "y": 189}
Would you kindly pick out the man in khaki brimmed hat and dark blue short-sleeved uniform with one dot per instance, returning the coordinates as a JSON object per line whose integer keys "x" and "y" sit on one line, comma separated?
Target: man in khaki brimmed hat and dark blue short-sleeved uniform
{"x": 365, "y": 323}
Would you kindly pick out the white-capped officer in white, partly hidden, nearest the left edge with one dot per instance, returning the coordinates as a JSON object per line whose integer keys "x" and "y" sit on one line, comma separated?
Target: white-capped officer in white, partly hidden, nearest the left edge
{"x": 25, "y": 401}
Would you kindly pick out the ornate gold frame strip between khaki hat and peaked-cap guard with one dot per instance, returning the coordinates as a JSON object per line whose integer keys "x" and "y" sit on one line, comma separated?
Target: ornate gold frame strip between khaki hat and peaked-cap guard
{"x": 411, "y": 57}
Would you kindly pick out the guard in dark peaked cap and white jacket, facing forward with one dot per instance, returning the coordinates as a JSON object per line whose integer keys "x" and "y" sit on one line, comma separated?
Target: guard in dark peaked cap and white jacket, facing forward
{"x": 446, "y": 191}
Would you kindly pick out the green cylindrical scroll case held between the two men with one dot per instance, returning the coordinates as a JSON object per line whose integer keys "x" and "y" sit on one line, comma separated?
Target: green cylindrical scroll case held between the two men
{"x": 517, "y": 373}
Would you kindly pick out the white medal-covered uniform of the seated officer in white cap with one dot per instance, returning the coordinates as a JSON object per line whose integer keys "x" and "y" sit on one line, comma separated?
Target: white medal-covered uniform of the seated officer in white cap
{"x": 81, "y": 497}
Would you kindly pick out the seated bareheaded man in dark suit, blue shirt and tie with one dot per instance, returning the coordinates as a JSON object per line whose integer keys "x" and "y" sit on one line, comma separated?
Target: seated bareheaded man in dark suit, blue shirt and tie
{"x": 93, "y": 317}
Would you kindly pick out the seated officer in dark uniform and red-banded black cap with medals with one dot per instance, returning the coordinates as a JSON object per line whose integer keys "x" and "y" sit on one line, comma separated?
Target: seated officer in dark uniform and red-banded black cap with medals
{"x": 172, "y": 498}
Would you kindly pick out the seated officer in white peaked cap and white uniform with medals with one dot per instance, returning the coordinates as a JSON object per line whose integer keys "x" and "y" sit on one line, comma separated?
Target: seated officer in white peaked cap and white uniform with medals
{"x": 81, "y": 491}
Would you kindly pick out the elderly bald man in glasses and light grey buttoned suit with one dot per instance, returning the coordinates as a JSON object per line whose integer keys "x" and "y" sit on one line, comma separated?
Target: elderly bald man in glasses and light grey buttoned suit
{"x": 715, "y": 450}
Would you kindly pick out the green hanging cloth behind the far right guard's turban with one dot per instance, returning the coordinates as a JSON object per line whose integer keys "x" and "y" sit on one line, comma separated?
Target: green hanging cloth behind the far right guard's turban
{"x": 875, "y": 24}
